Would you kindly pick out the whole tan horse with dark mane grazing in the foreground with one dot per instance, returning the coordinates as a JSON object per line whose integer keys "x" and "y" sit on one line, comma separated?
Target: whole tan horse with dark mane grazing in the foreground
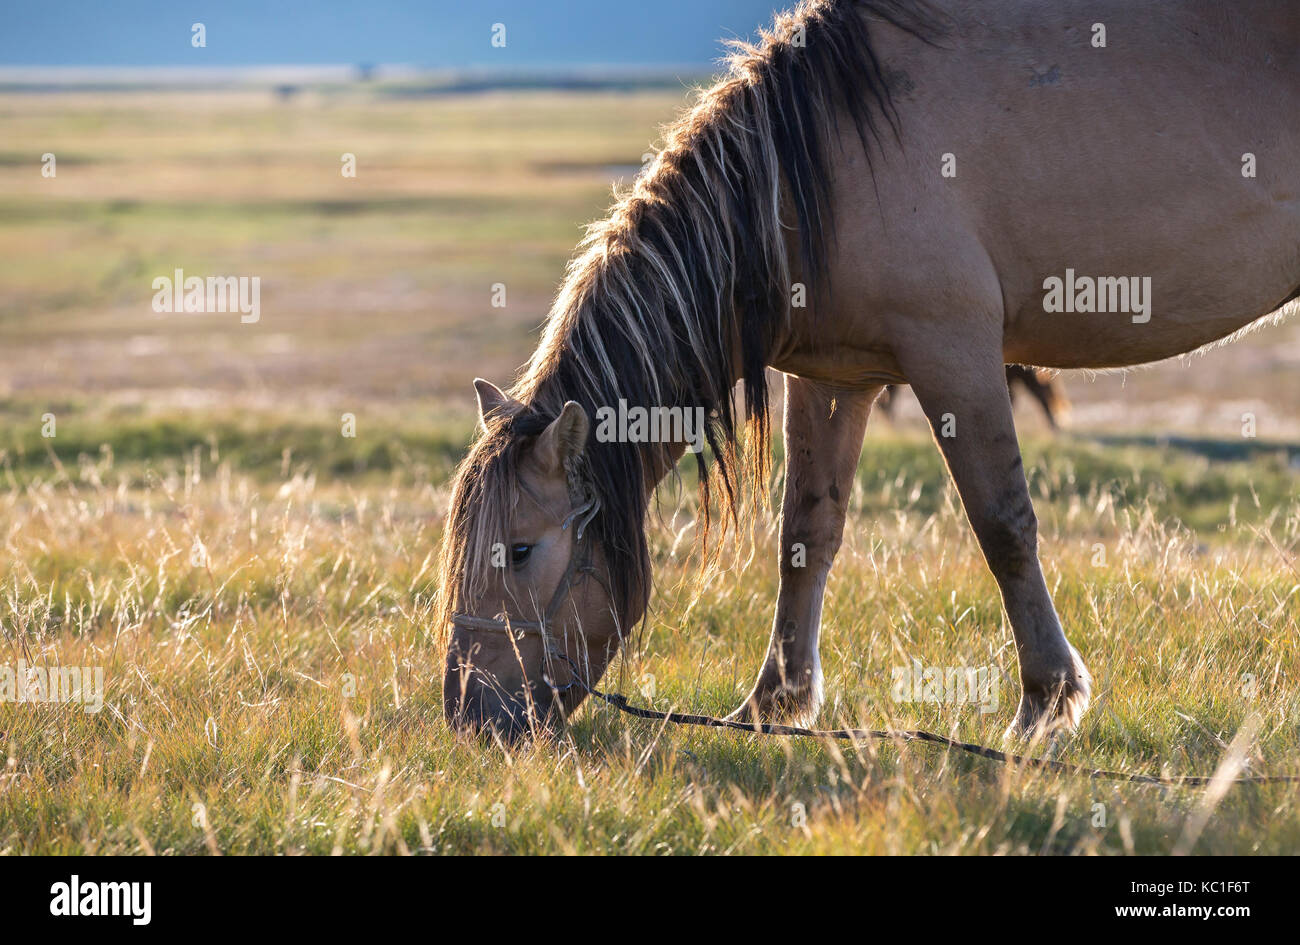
{"x": 877, "y": 193}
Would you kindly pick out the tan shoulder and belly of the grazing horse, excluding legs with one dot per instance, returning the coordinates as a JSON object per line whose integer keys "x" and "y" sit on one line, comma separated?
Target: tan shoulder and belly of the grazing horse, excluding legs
{"x": 1167, "y": 159}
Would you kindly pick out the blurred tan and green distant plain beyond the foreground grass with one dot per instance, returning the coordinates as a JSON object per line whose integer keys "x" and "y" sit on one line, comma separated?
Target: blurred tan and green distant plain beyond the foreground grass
{"x": 378, "y": 289}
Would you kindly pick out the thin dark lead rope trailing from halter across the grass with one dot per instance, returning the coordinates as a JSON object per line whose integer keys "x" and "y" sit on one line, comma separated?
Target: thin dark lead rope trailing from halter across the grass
{"x": 859, "y": 735}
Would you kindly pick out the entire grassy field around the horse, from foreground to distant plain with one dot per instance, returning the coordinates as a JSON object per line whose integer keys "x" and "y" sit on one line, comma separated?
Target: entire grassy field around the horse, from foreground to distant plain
{"x": 257, "y": 586}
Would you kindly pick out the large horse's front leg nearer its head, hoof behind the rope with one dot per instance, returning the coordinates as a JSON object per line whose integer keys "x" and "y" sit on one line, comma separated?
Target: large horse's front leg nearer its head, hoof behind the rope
{"x": 824, "y": 443}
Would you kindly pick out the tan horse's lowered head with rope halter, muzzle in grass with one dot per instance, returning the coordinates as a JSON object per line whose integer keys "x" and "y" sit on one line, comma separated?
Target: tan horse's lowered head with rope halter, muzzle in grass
{"x": 526, "y": 588}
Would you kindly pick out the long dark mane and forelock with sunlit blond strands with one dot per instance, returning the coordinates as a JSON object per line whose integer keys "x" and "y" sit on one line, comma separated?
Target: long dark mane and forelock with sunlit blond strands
{"x": 684, "y": 289}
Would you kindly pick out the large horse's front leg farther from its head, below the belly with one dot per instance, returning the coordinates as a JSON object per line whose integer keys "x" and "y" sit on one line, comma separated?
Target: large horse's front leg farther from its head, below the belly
{"x": 963, "y": 388}
